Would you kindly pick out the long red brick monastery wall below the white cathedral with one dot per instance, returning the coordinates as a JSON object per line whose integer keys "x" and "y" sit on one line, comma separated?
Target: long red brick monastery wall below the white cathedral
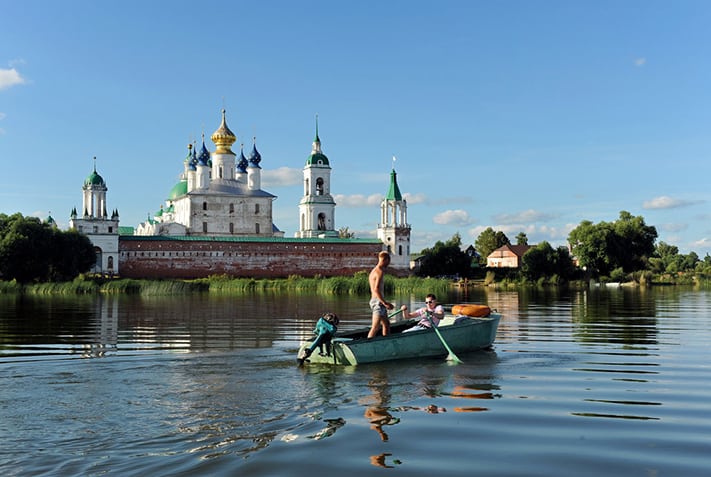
{"x": 166, "y": 258}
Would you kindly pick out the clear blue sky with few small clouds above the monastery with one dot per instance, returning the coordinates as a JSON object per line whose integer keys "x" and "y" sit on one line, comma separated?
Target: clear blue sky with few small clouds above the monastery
{"x": 525, "y": 116}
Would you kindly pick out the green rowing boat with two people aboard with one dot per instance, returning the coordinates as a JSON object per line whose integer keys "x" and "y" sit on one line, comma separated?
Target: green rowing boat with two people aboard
{"x": 461, "y": 333}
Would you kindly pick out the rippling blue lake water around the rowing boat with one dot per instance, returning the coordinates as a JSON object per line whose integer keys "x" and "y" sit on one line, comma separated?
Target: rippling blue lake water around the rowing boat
{"x": 612, "y": 382}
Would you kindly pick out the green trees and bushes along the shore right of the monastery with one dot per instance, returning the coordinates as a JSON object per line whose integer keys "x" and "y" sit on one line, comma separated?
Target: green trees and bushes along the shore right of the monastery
{"x": 616, "y": 251}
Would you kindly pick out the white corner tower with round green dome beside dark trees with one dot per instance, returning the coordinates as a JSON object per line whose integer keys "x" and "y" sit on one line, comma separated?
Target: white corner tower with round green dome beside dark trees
{"x": 95, "y": 223}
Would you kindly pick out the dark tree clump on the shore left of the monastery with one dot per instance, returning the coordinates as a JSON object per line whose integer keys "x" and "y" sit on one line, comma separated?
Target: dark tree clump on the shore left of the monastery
{"x": 36, "y": 251}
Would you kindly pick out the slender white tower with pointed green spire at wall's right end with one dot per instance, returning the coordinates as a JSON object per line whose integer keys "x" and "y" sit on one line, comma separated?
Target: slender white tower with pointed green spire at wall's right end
{"x": 393, "y": 229}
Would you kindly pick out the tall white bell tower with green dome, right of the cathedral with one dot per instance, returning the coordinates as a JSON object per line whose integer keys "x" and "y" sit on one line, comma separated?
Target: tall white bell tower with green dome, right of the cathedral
{"x": 317, "y": 207}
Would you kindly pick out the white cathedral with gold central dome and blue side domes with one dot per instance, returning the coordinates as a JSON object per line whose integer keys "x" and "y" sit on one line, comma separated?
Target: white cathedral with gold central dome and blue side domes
{"x": 216, "y": 195}
